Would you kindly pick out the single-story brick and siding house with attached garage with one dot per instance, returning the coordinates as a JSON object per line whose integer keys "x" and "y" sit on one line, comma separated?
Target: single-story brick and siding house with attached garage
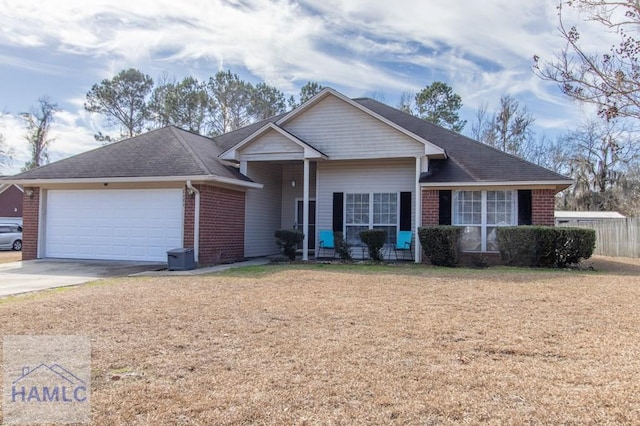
{"x": 332, "y": 163}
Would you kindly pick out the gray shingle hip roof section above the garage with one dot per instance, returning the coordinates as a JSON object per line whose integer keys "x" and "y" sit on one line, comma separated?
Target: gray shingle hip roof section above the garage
{"x": 164, "y": 152}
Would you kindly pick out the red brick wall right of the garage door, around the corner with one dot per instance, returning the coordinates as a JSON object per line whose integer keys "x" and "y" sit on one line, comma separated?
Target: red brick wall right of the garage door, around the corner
{"x": 221, "y": 224}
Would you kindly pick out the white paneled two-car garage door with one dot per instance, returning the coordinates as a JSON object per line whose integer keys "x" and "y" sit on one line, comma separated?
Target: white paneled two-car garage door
{"x": 113, "y": 224}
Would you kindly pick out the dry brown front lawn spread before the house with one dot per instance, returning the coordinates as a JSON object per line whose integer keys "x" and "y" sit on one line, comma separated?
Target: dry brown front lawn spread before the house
{"x": 355, "y": 345}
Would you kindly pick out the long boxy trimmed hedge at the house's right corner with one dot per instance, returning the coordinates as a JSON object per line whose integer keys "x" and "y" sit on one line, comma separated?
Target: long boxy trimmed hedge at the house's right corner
{"x": 544, "y": 246}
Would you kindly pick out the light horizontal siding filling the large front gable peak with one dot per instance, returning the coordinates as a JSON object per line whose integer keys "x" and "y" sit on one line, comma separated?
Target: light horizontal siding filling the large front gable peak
{"x": 342, "y": 132}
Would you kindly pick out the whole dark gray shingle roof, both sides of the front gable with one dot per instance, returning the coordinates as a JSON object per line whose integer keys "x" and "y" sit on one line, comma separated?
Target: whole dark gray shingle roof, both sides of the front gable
{"x": 170, "y": 151}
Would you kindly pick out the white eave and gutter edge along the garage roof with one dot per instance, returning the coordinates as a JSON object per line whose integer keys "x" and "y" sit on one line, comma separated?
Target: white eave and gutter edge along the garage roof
{"x": 145, "y": 179}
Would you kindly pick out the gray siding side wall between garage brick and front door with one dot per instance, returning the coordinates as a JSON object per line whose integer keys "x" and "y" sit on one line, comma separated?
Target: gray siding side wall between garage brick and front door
{"x": 263, "y": 207}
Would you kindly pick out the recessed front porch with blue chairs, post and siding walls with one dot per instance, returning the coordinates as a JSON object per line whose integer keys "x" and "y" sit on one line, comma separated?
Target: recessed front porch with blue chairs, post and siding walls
{"x": 330, "y": 196}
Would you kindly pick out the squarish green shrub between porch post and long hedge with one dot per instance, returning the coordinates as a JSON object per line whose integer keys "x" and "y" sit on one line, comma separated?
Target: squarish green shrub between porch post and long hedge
{"x": 440, "y": 244}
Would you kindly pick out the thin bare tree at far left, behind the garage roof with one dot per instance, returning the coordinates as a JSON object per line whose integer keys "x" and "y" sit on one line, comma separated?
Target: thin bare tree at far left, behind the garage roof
{"x": 38, "y": 123}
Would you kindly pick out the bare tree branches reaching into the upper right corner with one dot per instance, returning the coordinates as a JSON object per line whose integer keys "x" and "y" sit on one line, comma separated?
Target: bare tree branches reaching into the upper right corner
{"x": 610, "y": 80}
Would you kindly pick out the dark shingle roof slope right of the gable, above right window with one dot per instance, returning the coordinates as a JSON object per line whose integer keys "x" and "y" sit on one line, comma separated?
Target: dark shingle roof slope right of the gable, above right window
{"x": 469, "y": 160}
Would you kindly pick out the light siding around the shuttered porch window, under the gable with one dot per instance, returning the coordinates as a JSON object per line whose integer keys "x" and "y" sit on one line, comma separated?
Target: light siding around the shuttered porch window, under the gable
{"x": 394, "y": 175}
